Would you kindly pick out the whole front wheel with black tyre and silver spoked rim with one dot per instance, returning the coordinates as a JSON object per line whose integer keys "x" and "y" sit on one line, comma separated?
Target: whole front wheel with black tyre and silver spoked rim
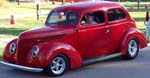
{"x": 58, "y": 65}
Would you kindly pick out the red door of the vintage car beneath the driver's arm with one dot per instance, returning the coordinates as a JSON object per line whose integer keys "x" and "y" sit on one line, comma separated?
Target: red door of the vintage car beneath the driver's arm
{"x": 92, "y": 38}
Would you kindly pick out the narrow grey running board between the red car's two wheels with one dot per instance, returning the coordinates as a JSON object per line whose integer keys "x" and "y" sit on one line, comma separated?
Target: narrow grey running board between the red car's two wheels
{"x": 101, "y": 58}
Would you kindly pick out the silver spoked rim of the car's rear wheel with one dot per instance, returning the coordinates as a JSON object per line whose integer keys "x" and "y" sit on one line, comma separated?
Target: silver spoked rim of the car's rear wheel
{"x": 132, "y": 47}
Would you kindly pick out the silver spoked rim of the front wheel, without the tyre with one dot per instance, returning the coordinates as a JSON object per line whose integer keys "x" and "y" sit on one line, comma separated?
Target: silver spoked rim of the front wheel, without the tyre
{"x": 58, "y": 65}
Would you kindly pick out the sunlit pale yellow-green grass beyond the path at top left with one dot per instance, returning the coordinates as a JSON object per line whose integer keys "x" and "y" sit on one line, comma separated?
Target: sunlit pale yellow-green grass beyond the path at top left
{"x": 12, "y": 8}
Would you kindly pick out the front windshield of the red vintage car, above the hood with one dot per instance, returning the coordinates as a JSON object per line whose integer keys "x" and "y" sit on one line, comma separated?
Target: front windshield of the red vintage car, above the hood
{"x": 63, "y": 18}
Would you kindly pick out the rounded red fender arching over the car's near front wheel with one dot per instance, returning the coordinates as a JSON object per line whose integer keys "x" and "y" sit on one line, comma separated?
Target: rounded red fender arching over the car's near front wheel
{"x": 49, "y": 51}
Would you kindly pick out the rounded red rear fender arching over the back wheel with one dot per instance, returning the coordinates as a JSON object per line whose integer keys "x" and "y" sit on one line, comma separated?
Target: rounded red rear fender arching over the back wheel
{"x": 133, "y": 33}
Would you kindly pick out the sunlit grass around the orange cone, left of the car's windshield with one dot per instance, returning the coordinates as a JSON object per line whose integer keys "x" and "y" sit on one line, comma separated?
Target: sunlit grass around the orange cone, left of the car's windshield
{"x": 22, "y": 24}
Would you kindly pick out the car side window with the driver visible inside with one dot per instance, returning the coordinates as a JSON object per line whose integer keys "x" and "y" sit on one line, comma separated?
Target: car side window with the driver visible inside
{"x": 93, "y": 18}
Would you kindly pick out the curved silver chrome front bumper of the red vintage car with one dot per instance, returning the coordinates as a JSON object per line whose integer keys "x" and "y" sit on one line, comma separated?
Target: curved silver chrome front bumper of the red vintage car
{"x": 25, "y": 68}
